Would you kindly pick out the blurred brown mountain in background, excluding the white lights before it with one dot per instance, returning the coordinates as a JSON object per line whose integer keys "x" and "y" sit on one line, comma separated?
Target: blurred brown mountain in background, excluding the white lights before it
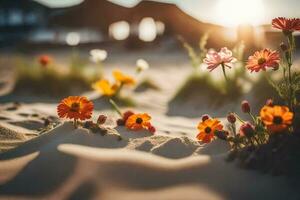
{"x": 100, "y": 14}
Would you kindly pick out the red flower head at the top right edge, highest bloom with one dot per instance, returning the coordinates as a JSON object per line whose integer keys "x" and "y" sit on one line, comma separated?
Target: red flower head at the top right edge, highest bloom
{"x": 286, "y": 25}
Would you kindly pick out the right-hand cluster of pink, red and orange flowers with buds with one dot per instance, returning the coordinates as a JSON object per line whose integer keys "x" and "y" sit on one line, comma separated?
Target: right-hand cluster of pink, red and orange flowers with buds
{"x": 272, "y": 118}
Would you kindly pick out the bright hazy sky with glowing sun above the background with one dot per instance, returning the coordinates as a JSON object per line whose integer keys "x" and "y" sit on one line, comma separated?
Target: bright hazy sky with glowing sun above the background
{"x": 222, "y": 12}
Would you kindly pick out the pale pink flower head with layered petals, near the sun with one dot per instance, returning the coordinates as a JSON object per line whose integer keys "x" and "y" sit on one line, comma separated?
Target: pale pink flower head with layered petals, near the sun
{"x": 223, "y": 57}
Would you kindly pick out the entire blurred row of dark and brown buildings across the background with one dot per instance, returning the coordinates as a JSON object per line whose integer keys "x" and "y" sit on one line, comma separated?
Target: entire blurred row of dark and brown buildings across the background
{"x": 147, "y": 23}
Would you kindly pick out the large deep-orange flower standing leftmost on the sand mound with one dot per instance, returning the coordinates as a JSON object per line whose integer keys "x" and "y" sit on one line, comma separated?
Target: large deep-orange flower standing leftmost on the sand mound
{"x": 75, "y": 107}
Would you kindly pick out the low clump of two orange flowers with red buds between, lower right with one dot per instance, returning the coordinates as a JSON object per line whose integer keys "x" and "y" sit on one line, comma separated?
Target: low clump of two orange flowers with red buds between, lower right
{"x": 272, "y": 119}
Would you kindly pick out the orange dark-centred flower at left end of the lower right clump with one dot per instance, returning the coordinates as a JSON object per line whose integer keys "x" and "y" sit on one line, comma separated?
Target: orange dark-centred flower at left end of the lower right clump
{"x": 207, "y": 129}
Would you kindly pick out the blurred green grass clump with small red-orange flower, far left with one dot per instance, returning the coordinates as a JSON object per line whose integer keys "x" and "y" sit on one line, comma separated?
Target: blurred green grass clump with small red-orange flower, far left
{"x": 44, "y": 74}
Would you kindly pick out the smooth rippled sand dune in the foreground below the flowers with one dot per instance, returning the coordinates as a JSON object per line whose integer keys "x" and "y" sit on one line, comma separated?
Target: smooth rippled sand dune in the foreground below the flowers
{"x": 68, "y": 163}
